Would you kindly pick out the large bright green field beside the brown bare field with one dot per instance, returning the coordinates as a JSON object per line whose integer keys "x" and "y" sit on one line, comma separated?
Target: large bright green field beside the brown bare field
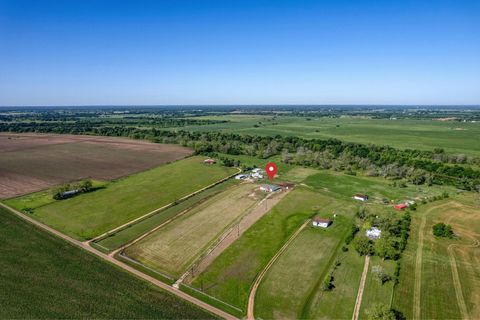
{"x": 88, "y": 215}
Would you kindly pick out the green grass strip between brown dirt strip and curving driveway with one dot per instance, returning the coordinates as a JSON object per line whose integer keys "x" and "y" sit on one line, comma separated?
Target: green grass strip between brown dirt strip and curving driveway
{"x": 230, "y": 276}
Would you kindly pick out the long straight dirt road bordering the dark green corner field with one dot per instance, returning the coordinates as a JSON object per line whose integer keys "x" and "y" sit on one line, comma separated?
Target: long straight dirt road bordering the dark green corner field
{"x": 125, "y": 267}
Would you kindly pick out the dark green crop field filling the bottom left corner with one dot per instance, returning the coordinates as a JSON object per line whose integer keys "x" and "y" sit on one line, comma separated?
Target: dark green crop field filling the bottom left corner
{"x": 44, "y": 277}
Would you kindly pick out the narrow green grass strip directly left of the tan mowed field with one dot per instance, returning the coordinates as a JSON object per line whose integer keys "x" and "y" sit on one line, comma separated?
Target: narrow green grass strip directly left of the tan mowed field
{"x": 126, "y": 235}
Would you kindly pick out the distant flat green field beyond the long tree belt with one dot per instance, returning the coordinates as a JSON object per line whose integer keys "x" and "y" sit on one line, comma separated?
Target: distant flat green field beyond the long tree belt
{"x": 453, "y": 136}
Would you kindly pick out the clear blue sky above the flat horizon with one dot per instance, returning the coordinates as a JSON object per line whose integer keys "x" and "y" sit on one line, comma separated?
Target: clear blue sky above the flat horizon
{"x": 239, "y": 52}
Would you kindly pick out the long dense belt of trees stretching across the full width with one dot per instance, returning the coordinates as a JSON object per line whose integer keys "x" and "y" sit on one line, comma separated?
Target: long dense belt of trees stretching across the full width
{"x": 415, "y": 166}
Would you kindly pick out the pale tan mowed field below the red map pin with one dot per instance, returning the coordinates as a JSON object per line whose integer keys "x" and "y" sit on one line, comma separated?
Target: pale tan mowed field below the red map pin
{"x": 173, "y": 248}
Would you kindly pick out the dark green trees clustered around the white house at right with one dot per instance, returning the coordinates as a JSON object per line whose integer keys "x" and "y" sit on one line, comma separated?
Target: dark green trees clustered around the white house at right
{"x": 393, "y": 240}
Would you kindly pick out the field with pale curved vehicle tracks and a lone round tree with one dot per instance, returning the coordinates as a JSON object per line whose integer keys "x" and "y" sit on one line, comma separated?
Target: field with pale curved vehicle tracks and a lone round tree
{"x": 429, "y": 289}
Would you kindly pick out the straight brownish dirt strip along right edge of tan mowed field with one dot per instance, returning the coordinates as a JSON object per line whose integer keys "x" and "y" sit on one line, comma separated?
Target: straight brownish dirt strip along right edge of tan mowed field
{"x": 259, "y": 211}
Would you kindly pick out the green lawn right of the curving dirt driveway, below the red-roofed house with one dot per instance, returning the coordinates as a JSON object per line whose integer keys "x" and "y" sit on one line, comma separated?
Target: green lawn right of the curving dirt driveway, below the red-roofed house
{"x": 286, "y": 291}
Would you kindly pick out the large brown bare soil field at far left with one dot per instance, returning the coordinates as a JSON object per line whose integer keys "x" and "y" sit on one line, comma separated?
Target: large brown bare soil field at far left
{"x": 30, "y": 162}
